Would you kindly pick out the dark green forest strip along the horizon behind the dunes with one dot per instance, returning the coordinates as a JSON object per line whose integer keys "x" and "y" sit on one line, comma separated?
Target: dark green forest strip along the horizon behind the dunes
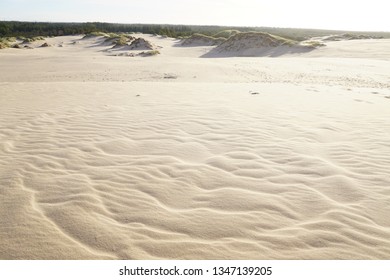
{"x": 29, "y": 29}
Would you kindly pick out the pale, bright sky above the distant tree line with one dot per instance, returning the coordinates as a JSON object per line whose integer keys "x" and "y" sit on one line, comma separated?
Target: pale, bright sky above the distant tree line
{"x": 358, "y": 15}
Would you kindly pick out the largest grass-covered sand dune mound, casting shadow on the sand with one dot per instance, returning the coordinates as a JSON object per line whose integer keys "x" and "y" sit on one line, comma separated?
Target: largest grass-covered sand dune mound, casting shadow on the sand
{"x": 257, "y": 44}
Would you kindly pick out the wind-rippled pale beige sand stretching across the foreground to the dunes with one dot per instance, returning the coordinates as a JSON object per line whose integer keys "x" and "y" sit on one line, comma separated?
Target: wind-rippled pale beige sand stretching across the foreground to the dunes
{"x": 177, "y": 156}
